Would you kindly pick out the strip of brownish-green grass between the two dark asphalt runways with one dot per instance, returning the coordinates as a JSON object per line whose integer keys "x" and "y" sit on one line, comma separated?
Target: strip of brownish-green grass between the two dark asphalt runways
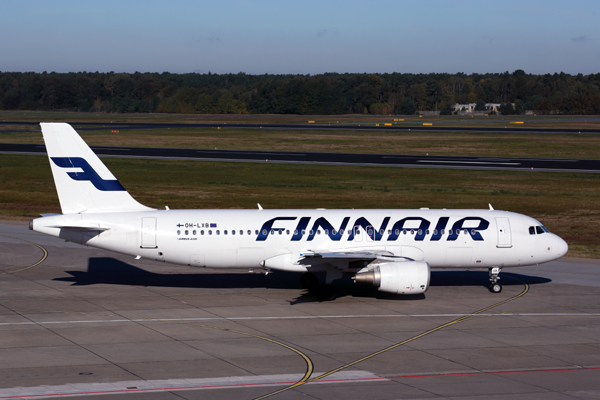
{"x": 432, "y": 143}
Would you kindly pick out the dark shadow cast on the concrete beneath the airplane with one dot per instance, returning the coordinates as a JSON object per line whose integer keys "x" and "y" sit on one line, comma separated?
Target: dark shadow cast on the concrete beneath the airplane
{"x": 110, "y": 271}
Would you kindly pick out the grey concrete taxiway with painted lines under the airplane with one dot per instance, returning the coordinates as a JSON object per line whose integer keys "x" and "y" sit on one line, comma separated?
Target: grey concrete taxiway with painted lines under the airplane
{"x": 86, "y": 322}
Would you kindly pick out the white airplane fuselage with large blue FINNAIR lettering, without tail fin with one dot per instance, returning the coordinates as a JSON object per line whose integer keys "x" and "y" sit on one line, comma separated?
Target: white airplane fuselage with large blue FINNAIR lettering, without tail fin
{"x": 277, "y": 238}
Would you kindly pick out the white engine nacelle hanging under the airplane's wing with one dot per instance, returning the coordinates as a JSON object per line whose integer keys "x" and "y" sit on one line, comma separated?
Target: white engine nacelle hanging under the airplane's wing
{"x": 409, "y": 277}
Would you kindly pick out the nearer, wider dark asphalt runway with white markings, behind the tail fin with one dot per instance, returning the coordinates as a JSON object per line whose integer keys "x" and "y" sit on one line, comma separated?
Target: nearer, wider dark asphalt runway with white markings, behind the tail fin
{"x": 388, "y": 160}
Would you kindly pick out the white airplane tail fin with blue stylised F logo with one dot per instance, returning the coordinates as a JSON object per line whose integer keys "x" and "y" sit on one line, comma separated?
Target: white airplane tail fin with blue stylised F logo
{"x": 83, "y": 182}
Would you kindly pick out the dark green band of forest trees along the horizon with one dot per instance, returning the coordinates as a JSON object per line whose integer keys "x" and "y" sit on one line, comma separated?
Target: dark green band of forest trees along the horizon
{"x": 329, "y": 93}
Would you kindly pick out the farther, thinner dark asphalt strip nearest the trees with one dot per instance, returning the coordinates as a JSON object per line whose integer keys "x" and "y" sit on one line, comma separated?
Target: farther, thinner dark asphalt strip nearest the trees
{"x": 409, "y": 126}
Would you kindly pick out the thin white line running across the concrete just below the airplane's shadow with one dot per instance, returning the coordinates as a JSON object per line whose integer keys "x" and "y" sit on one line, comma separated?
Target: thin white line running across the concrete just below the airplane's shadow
{"x": 300, "y": 317}
